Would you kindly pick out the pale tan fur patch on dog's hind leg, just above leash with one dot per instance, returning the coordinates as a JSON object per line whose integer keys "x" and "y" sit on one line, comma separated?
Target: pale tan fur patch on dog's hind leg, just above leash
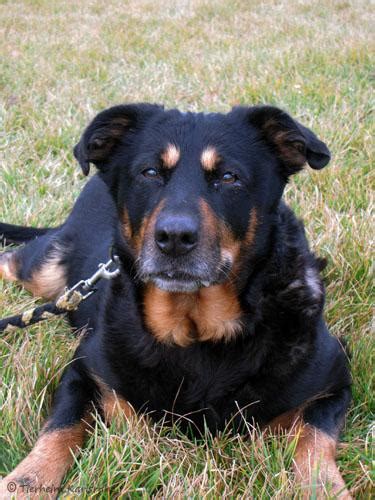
{"x": 50, "y": 279}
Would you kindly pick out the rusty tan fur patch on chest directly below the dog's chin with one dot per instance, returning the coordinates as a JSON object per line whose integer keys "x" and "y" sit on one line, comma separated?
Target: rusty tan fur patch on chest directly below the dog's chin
{"x": 213, "y": 314}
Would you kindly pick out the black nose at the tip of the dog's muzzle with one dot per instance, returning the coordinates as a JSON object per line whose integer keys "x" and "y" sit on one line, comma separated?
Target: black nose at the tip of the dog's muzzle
{"x": 176, "y": 234}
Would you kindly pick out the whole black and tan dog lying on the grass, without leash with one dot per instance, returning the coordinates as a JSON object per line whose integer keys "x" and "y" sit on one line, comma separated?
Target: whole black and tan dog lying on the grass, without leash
{"x": 216, "y": 316}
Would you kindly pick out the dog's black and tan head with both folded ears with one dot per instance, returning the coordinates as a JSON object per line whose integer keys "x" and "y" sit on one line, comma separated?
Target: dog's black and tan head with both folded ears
{"x": 196, "y": 193}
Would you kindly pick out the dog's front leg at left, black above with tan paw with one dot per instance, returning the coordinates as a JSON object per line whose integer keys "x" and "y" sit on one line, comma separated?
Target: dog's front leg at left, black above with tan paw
{"x": 40, "y": 474}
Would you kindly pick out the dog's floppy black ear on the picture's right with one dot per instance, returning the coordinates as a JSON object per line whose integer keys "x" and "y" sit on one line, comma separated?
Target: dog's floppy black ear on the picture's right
{"x": 294, "y": 144}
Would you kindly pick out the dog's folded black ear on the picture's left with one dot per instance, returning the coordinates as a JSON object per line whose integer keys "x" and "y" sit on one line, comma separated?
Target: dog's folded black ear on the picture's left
{"x": 106, "y": 131}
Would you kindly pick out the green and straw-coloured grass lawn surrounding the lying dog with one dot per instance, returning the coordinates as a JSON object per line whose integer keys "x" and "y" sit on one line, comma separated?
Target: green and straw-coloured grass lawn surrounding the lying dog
{"x": 61, "y": 62}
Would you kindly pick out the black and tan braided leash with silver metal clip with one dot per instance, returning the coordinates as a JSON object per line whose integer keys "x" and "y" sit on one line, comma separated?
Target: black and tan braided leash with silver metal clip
{"x": 69, "y": 300}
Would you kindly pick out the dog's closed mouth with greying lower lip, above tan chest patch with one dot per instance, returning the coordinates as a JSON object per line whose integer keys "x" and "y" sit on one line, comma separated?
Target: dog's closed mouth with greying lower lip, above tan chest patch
{"x": 177, "y": 282}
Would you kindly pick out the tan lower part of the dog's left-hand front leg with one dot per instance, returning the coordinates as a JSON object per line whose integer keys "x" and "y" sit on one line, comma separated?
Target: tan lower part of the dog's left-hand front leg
{"x": 40, "y": 474}
